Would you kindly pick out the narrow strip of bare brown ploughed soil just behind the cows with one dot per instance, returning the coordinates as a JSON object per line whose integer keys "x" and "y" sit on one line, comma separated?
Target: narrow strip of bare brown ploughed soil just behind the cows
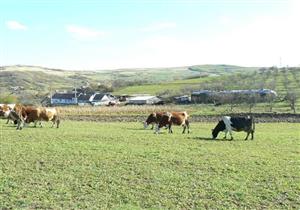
{"x": 259, "y": 117}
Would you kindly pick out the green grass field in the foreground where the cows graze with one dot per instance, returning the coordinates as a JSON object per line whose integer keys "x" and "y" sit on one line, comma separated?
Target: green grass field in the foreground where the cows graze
{"x": 122, "y": 166}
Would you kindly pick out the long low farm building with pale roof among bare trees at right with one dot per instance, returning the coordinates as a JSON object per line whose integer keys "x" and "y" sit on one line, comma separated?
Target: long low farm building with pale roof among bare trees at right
{"x": 233, "y": 96}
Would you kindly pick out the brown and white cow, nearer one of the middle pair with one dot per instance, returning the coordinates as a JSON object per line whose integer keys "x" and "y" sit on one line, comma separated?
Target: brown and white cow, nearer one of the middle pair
{"x": 176, "y": 118}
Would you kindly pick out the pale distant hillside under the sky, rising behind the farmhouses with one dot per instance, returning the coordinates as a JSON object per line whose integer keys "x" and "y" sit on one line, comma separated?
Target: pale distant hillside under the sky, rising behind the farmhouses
{"x": 31, "y": 83}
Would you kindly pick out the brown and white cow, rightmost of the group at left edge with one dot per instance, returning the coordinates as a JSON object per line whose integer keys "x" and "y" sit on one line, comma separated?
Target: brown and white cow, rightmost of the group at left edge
{"x": 40, "y": 114}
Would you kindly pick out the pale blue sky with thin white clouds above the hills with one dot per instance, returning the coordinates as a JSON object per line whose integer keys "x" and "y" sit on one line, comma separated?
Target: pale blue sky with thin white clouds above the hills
{"x": 111, "y": 34}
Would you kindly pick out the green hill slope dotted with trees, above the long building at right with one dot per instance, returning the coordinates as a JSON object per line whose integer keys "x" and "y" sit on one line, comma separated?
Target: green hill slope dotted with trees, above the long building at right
{"x": 280, "y": 80}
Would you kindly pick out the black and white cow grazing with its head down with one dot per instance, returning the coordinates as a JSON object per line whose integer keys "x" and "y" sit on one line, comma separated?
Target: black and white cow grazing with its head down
{"x": 229, "y": 124}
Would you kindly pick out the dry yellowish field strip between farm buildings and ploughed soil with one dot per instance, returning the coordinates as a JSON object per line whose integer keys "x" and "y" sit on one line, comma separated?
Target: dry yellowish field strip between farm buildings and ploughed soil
{"x": 193, "y": 110}
